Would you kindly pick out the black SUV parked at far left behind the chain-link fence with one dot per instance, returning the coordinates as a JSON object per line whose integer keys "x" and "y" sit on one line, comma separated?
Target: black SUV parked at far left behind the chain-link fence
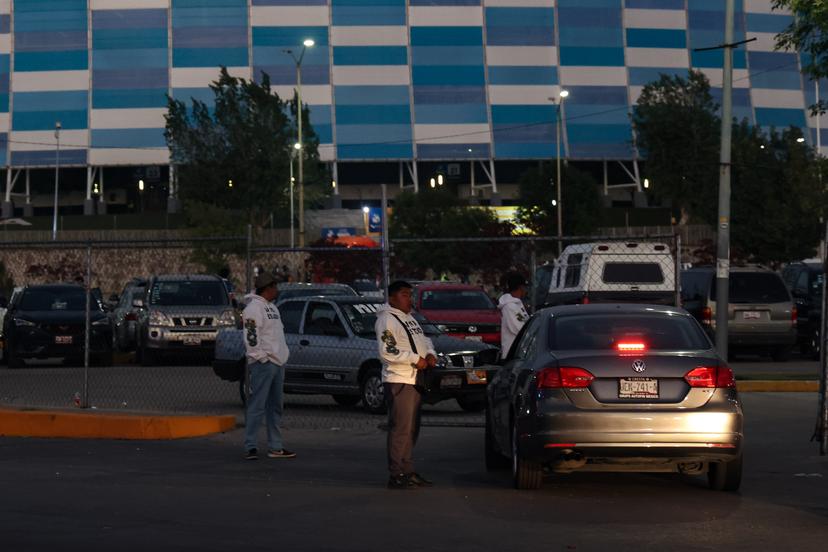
{"x": 49, "y": 321}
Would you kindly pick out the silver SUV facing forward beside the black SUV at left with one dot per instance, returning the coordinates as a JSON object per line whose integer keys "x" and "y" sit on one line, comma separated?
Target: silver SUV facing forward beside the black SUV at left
{"x": 182, "y": 313}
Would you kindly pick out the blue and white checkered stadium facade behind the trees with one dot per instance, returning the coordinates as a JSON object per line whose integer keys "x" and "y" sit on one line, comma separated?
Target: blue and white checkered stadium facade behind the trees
{"x": 405, "y": 81}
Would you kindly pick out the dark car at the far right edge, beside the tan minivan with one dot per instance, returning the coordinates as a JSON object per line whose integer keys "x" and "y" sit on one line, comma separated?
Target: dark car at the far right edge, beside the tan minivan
{"x": 805, "y": 280}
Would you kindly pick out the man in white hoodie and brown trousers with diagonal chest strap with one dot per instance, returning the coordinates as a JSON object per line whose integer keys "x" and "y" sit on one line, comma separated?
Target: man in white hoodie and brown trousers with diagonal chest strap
{"x": 404, "y": 349}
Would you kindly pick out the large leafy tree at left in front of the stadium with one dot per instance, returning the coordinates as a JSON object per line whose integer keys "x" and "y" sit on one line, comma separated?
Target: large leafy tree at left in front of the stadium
{"x": 235, "y": 154}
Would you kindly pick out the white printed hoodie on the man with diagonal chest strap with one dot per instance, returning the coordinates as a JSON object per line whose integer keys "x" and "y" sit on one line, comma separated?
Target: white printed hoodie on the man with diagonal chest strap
{"x": 398, "y": 358}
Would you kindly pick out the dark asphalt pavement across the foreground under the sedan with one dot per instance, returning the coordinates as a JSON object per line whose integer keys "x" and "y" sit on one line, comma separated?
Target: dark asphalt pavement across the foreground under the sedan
{"x": 198, "y": 494}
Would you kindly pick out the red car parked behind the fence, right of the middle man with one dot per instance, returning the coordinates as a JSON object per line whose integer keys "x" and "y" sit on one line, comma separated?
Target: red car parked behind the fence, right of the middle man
{"x": 460, "y": 310}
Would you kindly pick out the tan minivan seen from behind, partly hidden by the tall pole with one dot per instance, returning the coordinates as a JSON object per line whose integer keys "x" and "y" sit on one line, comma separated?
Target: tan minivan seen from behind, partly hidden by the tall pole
{"x": 761, "y": 314}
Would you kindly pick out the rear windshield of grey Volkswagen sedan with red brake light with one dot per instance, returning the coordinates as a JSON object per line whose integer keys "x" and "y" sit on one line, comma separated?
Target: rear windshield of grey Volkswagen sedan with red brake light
{"x": 605, "y": 331}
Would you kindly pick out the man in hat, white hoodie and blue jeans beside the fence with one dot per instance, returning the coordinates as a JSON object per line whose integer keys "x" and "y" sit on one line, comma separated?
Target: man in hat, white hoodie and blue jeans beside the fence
{"x": 267, "y": 352}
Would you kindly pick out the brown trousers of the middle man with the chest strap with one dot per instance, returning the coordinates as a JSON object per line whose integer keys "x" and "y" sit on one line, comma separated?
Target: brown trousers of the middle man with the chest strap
{"x": 403, "y": 425}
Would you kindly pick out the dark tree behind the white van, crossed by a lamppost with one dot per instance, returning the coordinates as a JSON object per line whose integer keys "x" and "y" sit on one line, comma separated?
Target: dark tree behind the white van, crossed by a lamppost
{"x": 580, "y": 195}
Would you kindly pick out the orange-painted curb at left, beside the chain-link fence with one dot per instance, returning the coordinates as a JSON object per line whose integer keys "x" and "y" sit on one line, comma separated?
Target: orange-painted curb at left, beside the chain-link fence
{"x": 102, "y": 425}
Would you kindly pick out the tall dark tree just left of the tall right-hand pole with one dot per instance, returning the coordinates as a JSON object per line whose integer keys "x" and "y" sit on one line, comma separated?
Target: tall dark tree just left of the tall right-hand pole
{"x": 678, "y": 132}
